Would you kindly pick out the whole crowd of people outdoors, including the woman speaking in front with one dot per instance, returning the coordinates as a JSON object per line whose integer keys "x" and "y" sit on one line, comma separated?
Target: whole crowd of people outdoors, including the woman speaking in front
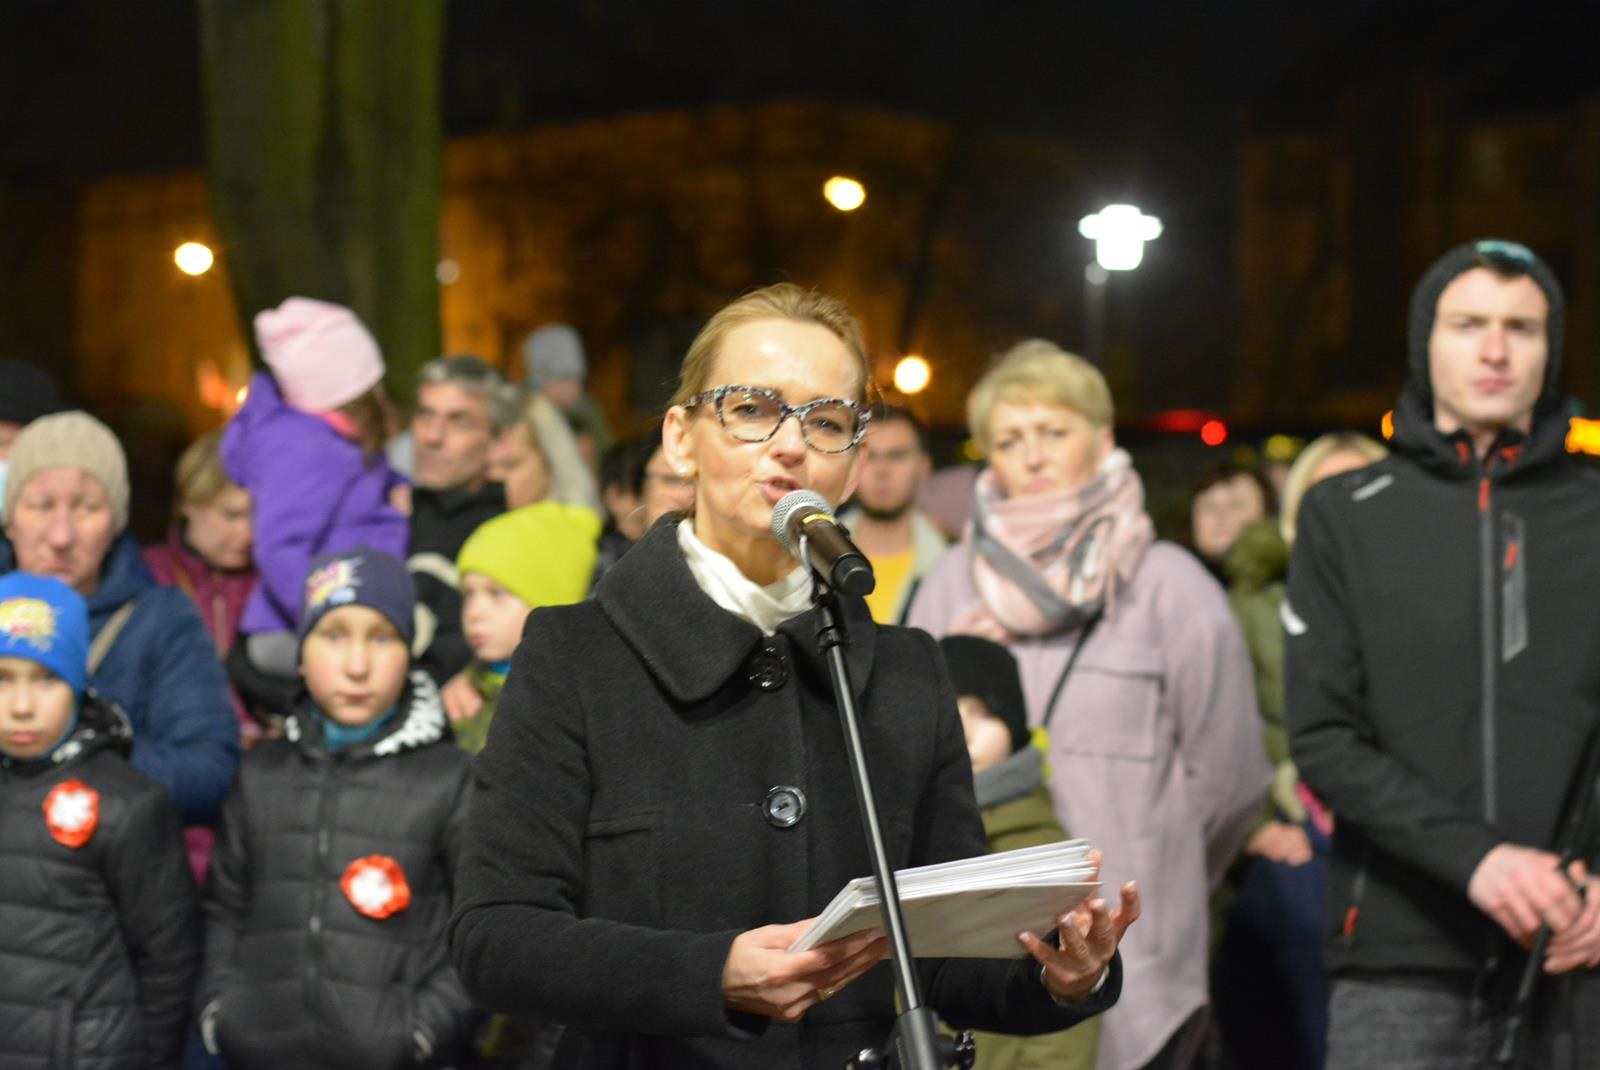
{"x": 478, "y": 738}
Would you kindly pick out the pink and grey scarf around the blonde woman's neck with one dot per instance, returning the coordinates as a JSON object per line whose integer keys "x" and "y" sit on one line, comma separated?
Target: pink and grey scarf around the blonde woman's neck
{"x": 1050, "y": 562}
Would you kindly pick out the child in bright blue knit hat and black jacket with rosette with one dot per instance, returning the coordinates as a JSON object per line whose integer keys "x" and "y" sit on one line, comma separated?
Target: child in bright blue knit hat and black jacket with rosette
{"x": 95, "y": 858}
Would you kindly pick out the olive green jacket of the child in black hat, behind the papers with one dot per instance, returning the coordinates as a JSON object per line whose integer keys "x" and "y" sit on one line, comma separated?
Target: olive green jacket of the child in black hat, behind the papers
{"x": 1026, "y": 821}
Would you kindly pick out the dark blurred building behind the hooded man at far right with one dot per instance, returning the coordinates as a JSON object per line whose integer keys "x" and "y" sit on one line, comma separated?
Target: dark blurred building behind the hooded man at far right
{"x": 1361, "y": 174}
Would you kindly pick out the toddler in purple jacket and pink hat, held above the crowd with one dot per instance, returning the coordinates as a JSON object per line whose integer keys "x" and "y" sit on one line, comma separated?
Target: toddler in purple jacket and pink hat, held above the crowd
{"x": 308, "y": 445}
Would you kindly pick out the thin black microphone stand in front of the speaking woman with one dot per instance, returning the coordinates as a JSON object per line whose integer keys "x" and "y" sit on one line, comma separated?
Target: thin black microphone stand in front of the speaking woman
{"x": 916, "y": 1044}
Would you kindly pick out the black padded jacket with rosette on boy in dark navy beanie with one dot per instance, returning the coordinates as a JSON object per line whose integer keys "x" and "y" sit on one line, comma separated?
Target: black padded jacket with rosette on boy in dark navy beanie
{"x": 297, "y": 975}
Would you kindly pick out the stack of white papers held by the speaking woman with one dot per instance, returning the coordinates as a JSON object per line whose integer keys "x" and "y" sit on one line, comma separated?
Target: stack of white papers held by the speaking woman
{"x": 972, "y": 908}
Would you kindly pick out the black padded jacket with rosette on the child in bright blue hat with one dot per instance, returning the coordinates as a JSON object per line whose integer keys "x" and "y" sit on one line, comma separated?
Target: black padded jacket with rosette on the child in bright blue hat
{"x": 100, "y": 941}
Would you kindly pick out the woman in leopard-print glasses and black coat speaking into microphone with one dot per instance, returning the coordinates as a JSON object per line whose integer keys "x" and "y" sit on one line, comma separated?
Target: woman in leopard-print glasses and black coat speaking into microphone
{"x": 665, "y": 801}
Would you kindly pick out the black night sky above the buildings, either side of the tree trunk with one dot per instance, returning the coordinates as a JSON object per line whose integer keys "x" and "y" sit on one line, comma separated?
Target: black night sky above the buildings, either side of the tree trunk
{"x": 89, "y": 89}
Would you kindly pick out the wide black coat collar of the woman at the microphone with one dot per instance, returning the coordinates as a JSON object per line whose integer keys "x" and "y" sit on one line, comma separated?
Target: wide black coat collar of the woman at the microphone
{"x": 690, "y": 644}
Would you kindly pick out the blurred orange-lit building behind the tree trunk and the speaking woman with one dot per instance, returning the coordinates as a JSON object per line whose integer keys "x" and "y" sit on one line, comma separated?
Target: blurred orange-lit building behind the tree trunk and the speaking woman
{"x": 634, "y": 230}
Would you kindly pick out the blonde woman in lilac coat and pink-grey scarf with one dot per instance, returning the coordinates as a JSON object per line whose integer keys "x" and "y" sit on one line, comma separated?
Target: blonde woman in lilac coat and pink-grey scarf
{"x": 1132, "y": 661}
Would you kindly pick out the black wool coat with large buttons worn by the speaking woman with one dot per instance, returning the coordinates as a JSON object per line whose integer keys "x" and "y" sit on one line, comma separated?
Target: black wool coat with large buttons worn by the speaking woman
{"x": 622, "y": 832}
